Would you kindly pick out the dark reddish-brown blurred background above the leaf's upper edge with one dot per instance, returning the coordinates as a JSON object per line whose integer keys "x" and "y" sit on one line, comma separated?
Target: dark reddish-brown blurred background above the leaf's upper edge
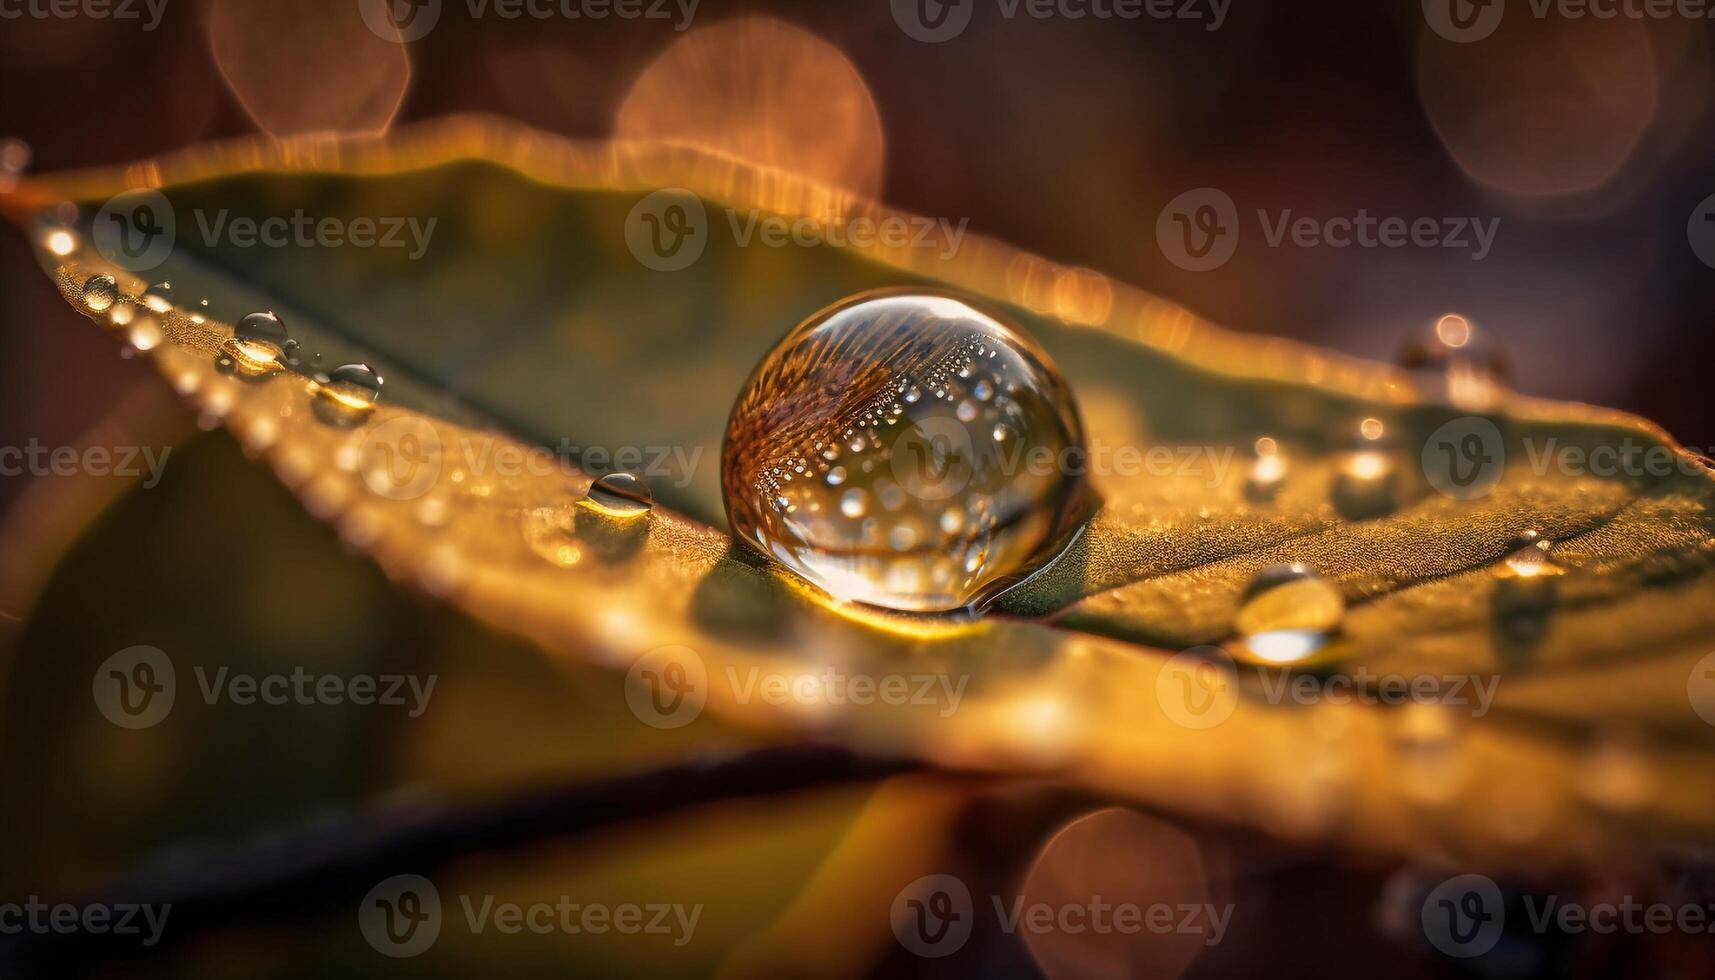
{"x": 1589, "y": 140}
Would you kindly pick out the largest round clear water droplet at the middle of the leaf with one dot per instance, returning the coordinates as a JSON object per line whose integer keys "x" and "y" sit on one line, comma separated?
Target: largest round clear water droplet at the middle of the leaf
{"x": 936, "y": 406}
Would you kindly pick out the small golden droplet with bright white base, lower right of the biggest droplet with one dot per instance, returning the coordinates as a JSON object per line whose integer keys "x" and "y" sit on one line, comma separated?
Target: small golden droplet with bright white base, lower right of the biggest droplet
{"x": 1289, "y": 614}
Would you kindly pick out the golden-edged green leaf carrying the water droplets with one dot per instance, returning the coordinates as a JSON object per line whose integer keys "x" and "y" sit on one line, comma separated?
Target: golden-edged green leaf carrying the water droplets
{"x": 529, "y": 315}
